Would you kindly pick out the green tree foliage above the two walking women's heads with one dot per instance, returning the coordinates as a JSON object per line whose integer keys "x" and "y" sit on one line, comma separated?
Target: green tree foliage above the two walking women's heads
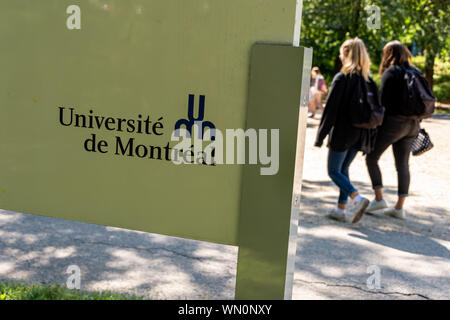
{"x": 327, "y": 24}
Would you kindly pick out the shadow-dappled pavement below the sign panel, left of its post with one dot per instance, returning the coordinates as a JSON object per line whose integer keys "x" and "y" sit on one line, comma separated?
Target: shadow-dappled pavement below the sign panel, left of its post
{"x": 40, "y": 249}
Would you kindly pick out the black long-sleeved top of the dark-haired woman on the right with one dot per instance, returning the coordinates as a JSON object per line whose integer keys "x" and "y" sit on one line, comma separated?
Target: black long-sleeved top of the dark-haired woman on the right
{"x": 393, "y": 90}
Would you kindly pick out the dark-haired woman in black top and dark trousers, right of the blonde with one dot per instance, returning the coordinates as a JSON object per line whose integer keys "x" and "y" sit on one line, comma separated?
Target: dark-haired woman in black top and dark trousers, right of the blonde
{"x": 398, "y": 129}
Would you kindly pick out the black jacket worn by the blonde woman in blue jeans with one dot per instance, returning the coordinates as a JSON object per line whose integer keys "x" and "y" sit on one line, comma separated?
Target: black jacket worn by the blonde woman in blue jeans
{"x": 336, "y": 121}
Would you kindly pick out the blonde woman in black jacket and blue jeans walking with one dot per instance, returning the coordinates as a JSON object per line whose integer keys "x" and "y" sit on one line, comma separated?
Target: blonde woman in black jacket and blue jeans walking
{"x": 338, "y": 122}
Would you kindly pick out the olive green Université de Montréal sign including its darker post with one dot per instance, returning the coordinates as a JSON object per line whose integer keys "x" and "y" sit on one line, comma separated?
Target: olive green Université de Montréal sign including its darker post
{"x": 91, "y": 92}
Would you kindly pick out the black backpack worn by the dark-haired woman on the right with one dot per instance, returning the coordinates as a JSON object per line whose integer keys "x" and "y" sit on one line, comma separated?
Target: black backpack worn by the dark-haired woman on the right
{"x": 419, "y": 99}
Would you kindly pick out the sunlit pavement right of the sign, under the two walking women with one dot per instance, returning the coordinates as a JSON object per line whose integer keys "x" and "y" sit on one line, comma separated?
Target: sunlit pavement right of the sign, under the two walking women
{"x": 333, "y": 259}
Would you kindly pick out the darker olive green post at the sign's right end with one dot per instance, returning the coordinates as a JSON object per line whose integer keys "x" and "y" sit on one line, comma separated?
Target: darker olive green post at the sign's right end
{"x": 269, "y": 207}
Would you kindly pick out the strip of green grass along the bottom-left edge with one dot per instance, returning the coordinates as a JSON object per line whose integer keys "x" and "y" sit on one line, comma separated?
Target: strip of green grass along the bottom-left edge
{"x": 24, "y": 291}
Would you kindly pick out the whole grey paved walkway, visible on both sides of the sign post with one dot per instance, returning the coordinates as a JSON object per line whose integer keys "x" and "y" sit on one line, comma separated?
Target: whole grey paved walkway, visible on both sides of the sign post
{"x": 332, "y": 258}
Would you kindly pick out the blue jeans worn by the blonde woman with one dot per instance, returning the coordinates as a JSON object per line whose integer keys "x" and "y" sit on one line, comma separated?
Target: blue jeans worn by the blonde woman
{"x": 338, "y": 165}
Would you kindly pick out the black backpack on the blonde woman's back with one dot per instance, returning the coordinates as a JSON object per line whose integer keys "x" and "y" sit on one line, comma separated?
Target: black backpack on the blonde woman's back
{"x": 363, "y": 113}
